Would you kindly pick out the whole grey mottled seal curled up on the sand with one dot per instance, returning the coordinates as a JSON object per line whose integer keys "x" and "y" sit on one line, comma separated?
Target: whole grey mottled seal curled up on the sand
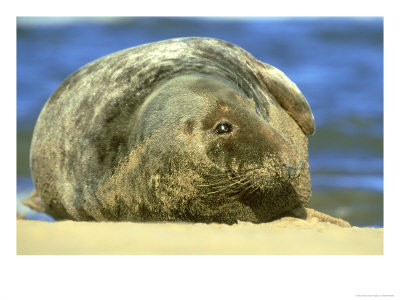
{"x": 189, "y": 129}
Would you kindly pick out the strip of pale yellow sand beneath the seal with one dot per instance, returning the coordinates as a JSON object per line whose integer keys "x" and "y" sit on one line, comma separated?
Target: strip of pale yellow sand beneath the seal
{"x": 284, "y": 236}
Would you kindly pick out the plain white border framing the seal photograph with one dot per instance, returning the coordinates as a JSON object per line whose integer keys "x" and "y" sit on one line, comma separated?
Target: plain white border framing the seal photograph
{"x": 261, "y": 277}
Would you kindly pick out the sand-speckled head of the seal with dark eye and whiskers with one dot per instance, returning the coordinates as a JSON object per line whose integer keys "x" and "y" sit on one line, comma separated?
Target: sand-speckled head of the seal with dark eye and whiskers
{"x": 203, "y": 152}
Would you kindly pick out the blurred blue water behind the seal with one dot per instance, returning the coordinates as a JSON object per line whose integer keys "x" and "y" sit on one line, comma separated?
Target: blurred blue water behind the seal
{"x": 336, "y": 62}
